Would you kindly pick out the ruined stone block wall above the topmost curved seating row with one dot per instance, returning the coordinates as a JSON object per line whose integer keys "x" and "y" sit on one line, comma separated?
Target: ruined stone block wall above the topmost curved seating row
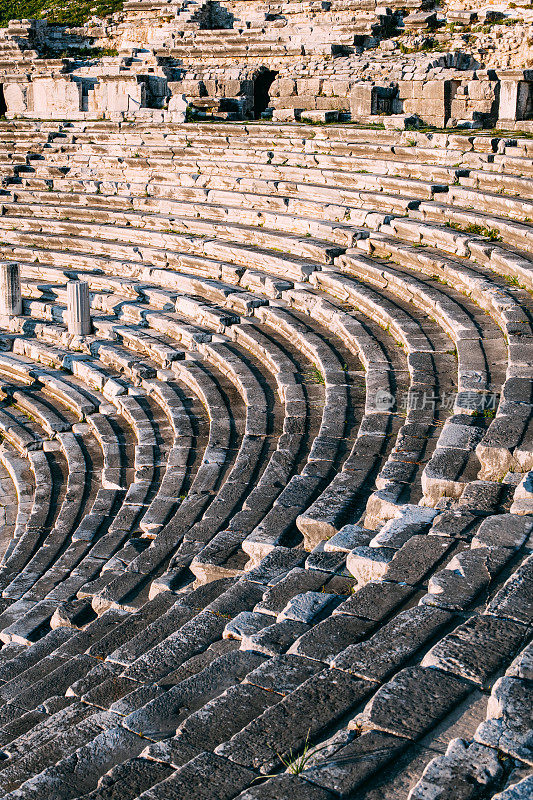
{"x": 342, "y": 63}
